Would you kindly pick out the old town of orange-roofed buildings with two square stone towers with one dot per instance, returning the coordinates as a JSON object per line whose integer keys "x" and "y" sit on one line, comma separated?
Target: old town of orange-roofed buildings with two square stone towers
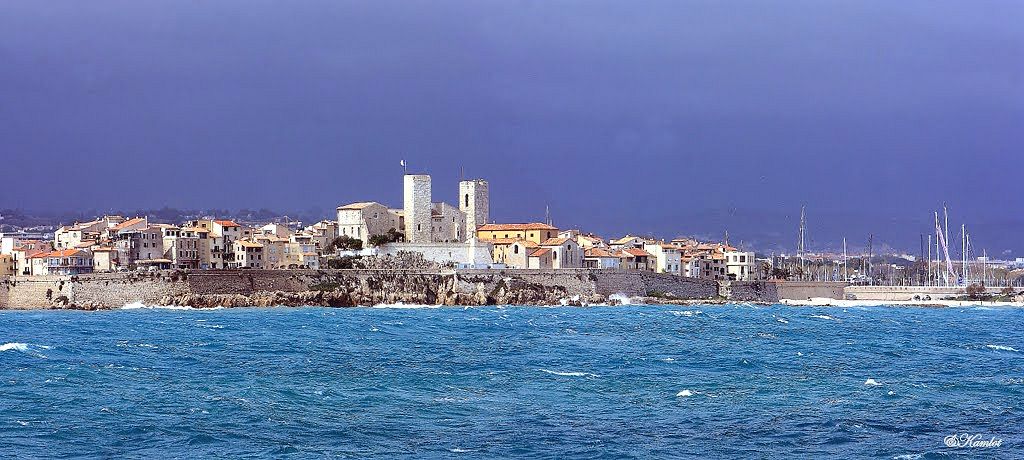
{"x": 421, "y": 233}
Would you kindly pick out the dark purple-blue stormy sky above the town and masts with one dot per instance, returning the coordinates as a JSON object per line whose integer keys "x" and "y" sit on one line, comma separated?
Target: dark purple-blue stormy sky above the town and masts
{"x": 654, "y": 117}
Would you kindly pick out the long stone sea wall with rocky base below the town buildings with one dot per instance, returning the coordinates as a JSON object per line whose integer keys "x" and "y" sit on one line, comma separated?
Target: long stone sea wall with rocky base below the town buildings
{"x": 345, "y": 288}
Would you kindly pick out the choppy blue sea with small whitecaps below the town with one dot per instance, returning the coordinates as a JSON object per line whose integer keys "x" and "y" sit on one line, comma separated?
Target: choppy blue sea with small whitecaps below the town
{"x": 708, "y": 382}
